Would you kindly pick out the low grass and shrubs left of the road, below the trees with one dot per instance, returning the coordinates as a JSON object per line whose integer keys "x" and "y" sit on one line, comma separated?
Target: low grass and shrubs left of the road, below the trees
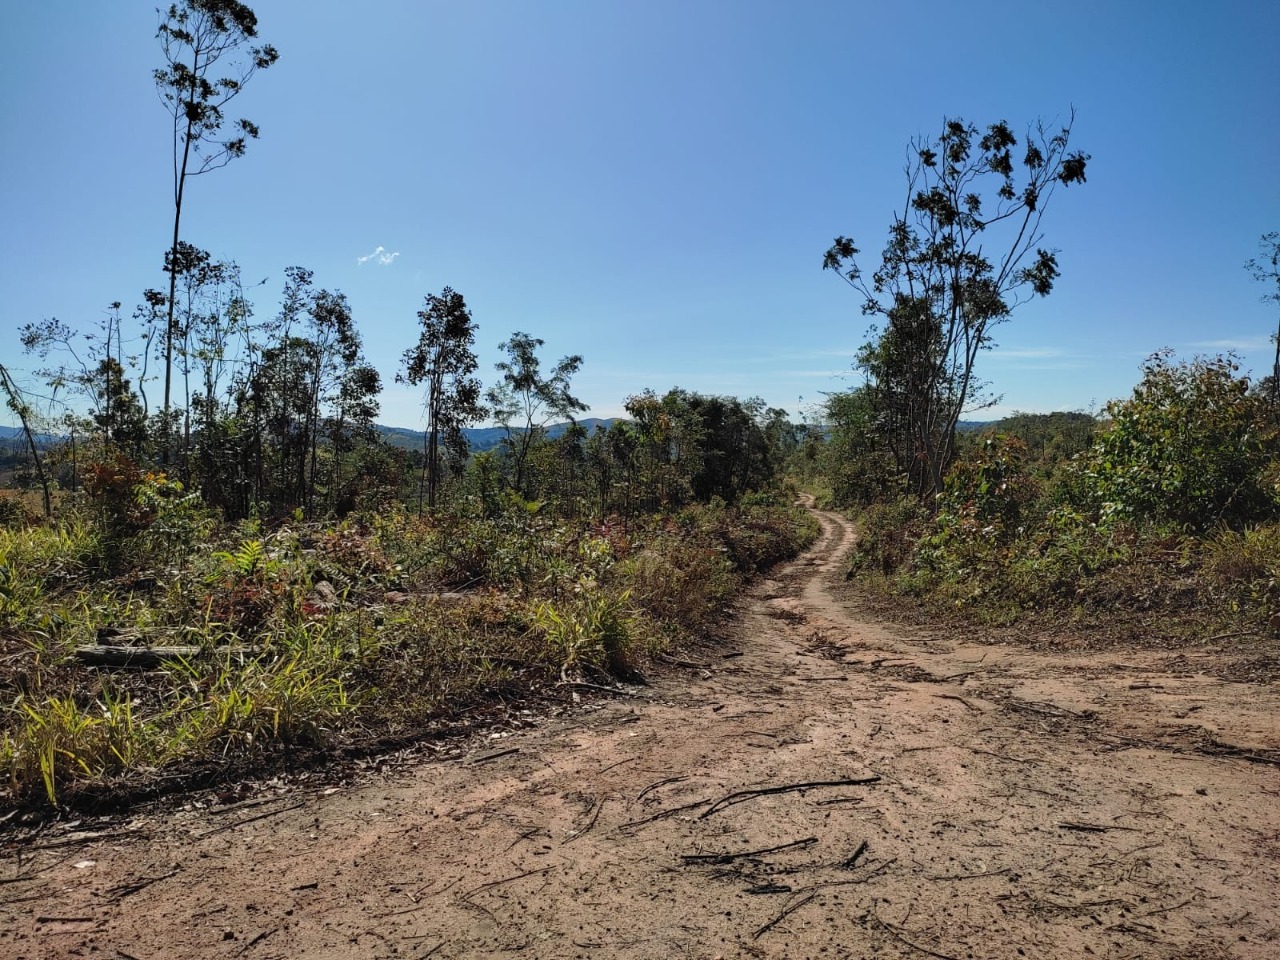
{"x": 180, "y": 648}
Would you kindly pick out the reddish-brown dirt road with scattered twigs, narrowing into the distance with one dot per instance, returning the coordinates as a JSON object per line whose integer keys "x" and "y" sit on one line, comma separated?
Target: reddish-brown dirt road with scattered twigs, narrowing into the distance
{"x": 966, "y": 801}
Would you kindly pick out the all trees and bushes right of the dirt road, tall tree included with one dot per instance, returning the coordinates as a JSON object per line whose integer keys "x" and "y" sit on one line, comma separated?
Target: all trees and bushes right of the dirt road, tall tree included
{"x": 1158, "y": 522}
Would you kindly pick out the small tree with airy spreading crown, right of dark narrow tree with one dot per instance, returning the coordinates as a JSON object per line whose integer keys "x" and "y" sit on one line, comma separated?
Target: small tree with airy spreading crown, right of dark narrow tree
{"x": 525, "y": 401}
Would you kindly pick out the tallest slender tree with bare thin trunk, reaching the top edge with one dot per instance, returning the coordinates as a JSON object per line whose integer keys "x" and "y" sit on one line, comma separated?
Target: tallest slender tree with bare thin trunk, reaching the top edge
{"x": 209, "y": 58}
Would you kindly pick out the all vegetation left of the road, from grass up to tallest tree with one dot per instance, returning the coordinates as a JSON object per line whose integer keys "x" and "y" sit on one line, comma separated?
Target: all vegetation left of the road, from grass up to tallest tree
{"x": 227, "y": 566}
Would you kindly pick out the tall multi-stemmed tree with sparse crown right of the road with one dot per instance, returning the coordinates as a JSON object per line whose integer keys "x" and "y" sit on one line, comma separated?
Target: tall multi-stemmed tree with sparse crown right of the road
{"x": 956, "y": 267}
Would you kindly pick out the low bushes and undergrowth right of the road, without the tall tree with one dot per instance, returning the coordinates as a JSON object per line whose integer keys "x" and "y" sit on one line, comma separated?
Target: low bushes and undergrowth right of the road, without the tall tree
{"x": 1158, "y": 522}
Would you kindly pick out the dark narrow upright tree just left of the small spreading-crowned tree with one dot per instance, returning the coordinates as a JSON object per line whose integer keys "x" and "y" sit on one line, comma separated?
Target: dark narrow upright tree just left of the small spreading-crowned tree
{"x": 445, "y": 362}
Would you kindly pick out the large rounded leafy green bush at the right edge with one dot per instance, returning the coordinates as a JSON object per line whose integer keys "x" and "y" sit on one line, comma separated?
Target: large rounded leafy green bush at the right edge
{"x": 1187, "y": 451}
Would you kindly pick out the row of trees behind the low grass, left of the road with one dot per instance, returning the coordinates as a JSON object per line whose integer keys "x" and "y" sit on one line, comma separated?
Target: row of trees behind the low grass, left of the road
{"x": 278, "y": 415}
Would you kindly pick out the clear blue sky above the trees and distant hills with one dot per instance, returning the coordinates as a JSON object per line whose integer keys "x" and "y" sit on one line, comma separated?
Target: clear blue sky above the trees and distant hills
{"x": 653, "y": 184}
